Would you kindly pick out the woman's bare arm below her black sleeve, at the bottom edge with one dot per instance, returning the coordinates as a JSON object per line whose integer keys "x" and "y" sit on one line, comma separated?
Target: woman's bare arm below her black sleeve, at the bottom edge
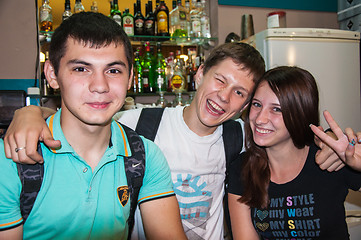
{"x": 240, "y": 213}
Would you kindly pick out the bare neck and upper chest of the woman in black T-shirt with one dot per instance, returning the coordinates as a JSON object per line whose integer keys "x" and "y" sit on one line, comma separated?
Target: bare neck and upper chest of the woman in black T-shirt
{"x": 286, "y": 162}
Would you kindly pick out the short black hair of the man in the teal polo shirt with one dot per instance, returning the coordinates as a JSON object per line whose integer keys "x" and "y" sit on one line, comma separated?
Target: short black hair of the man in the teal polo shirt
{"x": 94, "y": 29}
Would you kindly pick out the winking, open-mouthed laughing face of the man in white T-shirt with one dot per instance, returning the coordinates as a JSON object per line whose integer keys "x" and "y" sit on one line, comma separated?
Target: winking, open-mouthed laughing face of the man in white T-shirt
{"x": 221, "y": 94}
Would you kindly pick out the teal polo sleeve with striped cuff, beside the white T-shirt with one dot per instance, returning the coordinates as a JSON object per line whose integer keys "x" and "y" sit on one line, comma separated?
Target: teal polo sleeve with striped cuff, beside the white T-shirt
{"x": 157, "y": 181}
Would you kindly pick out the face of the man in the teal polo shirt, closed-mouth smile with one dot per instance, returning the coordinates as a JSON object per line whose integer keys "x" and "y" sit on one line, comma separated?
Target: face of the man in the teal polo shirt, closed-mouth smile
{"x": 93, "y": 82}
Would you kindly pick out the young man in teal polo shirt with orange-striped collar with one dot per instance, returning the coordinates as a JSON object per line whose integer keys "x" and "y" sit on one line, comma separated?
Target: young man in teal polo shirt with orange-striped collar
{"x": 91, "y": 63}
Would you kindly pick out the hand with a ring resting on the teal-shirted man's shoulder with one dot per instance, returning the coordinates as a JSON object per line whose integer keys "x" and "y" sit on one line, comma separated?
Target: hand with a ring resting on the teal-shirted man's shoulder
{"x": 25, "y": 130}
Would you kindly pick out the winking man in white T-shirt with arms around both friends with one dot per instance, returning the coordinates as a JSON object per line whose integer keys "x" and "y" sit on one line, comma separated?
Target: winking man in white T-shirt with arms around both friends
{"x": 190, "y": 137}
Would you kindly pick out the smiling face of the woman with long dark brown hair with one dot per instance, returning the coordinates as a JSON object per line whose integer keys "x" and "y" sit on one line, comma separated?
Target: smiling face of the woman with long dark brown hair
{"x": 266, "y": 120}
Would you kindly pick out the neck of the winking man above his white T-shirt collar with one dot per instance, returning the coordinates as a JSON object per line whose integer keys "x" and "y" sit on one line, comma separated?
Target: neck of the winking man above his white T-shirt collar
{"x": 192, "y": 120}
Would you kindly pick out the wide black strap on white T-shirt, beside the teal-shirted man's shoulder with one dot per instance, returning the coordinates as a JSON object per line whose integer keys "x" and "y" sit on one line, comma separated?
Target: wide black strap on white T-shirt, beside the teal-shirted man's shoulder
{"x": 148, "y": 122}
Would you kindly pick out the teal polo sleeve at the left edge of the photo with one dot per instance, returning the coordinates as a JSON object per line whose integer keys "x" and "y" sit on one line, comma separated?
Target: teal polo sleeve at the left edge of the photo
{"x": 10, "y": 188}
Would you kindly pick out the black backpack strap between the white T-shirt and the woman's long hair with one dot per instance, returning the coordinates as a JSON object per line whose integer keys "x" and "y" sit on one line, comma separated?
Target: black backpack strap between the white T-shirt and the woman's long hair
{"x": 233, "y": 142}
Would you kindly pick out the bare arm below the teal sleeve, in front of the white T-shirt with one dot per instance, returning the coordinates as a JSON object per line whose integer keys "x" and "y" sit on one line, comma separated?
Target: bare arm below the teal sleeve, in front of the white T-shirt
{"x": 161, "y": 219}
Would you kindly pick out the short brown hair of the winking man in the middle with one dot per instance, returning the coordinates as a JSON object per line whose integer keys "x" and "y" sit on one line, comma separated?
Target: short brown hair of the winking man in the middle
{"x": 242, "y": 54}
